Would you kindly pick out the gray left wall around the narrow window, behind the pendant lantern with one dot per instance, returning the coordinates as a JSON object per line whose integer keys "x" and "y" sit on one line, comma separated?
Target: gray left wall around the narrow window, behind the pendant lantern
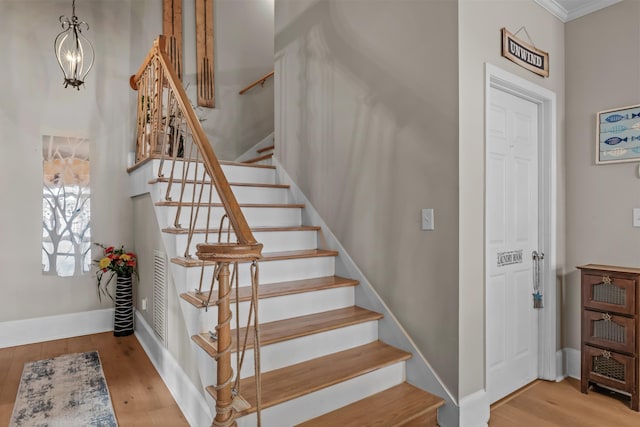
{"x": 33, "y": 102}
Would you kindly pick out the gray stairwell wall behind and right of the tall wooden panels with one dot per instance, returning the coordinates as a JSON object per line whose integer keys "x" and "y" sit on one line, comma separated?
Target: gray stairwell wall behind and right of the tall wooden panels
{"x": 243, "y": 53}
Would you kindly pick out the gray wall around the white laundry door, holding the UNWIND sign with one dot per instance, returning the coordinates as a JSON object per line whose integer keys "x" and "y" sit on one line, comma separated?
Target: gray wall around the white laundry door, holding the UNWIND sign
{"x": 480, "y": 41}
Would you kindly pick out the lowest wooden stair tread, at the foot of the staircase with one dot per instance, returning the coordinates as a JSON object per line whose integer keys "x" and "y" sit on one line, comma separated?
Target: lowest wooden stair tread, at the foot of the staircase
{"x": 393, "y": 407}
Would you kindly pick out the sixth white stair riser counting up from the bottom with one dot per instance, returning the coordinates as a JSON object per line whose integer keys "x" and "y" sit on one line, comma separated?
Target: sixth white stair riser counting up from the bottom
{"x": 256, "y": 217}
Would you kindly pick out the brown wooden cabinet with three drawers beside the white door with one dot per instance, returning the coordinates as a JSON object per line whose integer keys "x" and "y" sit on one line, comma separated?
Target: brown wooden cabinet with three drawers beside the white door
{"x": 610, "y": 325}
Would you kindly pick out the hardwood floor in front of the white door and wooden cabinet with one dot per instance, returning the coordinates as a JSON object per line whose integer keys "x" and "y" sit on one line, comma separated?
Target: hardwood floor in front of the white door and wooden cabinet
{"x": 547, "y": 404}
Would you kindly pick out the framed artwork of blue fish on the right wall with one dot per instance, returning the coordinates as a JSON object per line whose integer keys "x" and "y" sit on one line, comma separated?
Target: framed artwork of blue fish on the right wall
{"x": 618, "y": 135}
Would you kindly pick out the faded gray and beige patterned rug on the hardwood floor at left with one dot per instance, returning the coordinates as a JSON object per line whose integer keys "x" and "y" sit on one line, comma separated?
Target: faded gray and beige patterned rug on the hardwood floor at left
{"x": 67, "y": 391}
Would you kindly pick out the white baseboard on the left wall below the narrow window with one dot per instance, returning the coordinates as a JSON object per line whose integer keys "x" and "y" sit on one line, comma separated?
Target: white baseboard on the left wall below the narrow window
{"x": 39, "y": 329}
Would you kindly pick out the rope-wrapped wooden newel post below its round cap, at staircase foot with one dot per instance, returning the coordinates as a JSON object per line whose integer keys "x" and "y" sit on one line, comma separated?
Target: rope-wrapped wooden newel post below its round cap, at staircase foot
{"x": 225, "y": 375}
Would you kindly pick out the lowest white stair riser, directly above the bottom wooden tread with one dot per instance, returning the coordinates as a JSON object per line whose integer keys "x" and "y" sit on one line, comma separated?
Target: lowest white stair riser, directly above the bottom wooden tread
{"x": 328, "y": 399}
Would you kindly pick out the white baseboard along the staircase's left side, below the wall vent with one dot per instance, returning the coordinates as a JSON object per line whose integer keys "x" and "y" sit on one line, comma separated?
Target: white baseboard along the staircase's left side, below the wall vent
{"x": 191, "y": 402}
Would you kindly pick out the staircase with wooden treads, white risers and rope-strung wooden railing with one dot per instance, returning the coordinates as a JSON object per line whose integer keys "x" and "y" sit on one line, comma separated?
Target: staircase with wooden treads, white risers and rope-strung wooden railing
{"x": 321, "y": 359}
